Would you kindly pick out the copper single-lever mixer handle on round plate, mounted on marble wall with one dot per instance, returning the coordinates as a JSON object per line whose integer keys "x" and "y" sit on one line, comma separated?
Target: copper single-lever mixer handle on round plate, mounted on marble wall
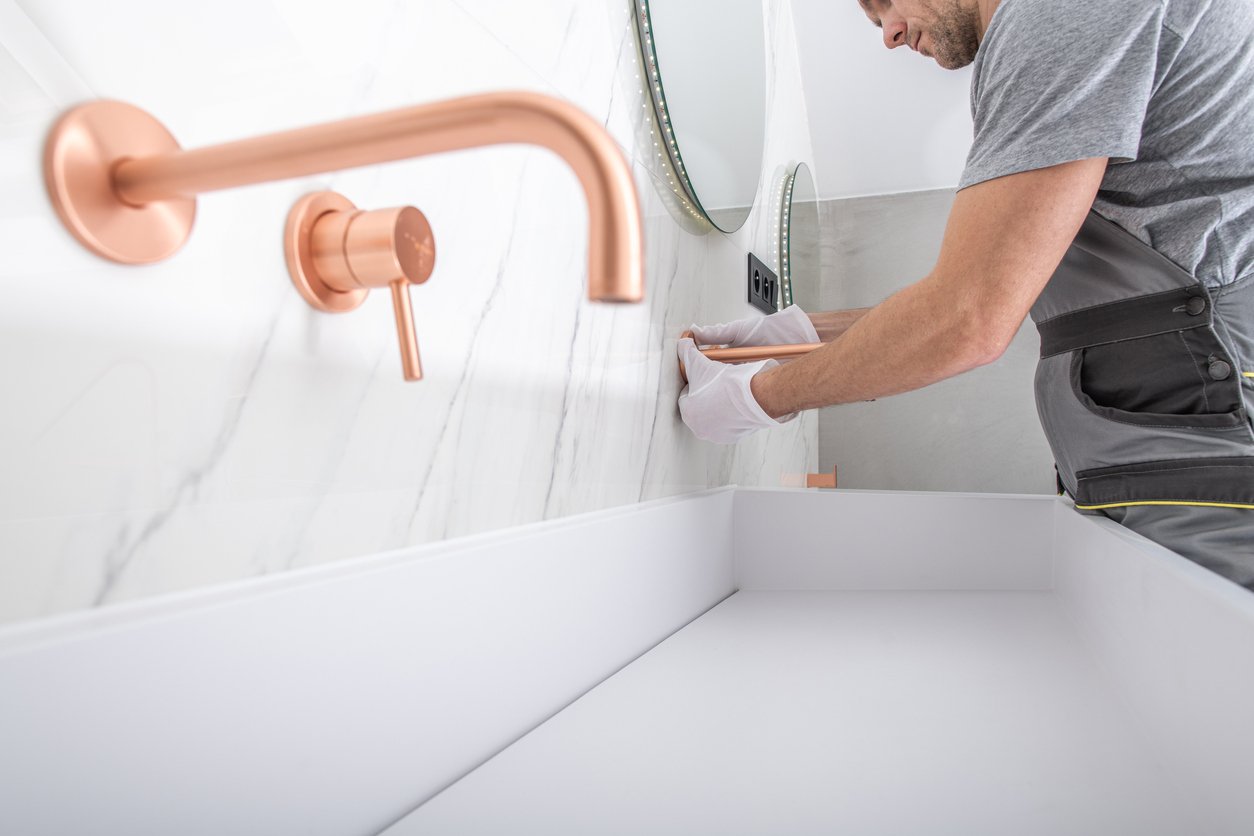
{"x": 338, "y": 254}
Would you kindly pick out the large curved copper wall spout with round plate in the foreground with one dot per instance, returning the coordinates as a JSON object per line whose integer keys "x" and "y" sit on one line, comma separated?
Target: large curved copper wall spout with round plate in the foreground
{"x": 105, "y": 161}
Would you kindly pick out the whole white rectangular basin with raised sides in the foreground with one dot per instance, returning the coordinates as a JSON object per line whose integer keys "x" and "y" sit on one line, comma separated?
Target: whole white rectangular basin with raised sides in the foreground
{"x": 729, "y": 662}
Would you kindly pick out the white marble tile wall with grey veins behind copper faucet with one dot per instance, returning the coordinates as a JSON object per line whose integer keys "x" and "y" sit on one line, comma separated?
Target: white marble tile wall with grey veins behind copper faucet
{"x": 196, "y": 423}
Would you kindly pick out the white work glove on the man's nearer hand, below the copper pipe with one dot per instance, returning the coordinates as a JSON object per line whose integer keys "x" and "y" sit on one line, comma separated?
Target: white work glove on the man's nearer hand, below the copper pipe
{"x": 718, "y": 404}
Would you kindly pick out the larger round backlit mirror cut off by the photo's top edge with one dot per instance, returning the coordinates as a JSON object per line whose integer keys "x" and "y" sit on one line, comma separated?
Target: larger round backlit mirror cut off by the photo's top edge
{"x": 705, "y": 62}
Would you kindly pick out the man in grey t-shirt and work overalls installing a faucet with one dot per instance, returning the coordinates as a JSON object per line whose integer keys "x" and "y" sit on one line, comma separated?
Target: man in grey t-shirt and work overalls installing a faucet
{"x": 1110, "y": 192}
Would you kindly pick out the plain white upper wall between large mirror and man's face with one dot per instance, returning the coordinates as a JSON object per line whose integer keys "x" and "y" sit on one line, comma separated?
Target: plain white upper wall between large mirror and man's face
{"x": 882, "y": 121}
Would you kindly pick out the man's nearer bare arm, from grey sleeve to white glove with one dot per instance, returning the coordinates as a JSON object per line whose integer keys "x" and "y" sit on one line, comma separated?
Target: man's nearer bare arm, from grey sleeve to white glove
{"x": 1004, "y": 241}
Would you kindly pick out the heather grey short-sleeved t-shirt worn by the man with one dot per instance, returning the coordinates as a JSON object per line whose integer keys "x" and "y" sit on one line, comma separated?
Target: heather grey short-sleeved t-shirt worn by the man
{"x": 1166, "y": 88}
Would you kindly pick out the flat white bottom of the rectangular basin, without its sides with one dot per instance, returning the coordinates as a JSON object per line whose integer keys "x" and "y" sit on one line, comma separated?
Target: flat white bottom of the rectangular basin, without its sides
{"x": 838, "y": 713}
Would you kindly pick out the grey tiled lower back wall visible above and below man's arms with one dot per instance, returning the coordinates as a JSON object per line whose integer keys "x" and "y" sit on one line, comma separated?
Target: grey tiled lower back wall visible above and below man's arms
{"x": 974, "y": 433}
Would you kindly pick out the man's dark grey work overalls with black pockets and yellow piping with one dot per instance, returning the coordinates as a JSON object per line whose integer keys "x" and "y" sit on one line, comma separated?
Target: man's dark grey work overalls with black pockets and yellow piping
{"x": 1144, "y": 389}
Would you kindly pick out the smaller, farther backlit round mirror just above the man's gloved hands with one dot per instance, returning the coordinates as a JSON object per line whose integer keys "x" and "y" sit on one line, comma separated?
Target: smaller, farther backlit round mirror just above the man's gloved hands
{"x": 798, "y": 241}
